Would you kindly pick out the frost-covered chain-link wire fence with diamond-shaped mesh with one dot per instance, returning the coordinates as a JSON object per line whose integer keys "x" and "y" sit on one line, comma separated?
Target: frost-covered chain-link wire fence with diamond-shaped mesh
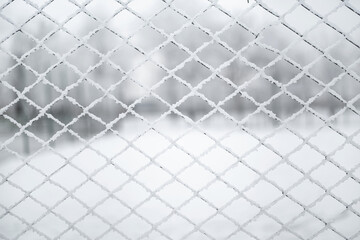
{"x": 195, "y": 125}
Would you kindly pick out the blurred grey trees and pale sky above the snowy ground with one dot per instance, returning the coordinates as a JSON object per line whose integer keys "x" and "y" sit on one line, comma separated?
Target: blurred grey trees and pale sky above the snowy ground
{"x": 116, "y": 59}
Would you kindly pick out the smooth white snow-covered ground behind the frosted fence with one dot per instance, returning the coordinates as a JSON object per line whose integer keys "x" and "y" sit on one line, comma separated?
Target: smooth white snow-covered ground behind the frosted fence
{"x": 191, "y": 195}
